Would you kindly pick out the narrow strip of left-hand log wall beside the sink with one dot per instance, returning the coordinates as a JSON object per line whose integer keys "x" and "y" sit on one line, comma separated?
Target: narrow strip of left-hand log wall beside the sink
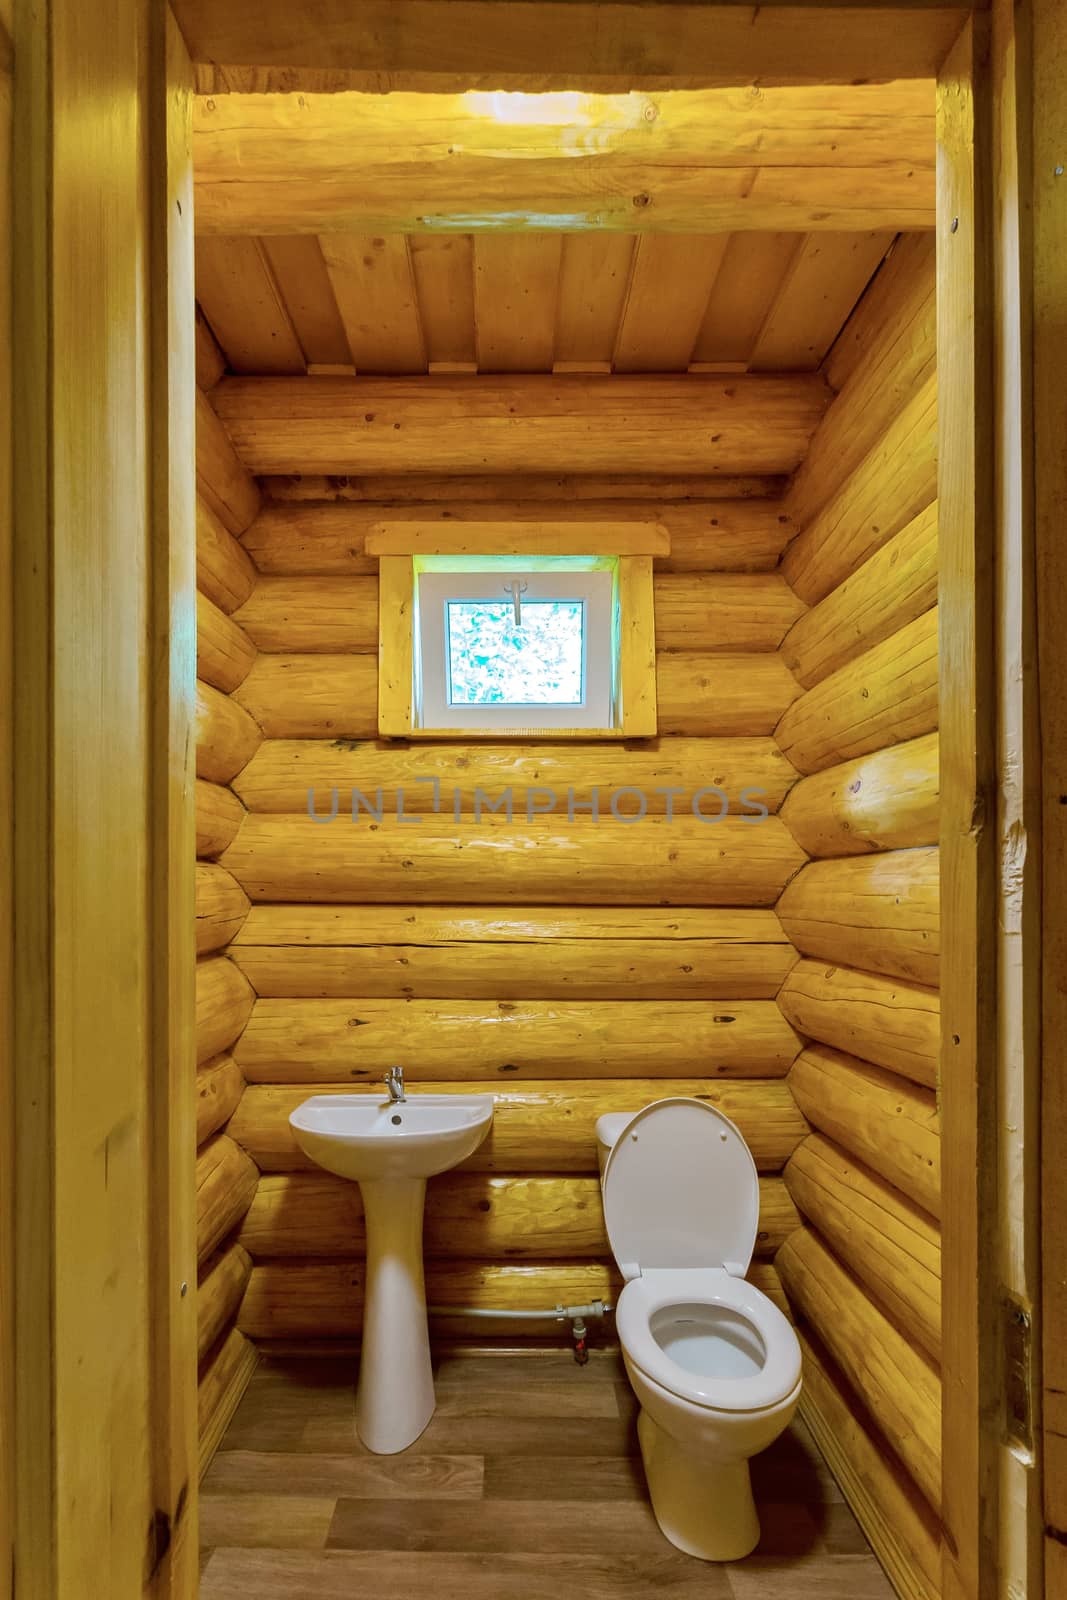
{"x": 226, "y": 737}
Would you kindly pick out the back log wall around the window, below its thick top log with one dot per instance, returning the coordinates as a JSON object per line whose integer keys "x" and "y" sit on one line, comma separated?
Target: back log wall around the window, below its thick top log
{"x": 573, "y": 967}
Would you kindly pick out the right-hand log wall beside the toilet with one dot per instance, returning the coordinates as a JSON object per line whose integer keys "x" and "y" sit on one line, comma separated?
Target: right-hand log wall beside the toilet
{"x": 863, "y": 1274}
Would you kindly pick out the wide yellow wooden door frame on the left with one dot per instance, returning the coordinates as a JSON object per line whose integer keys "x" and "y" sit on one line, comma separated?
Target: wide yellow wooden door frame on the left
{"x": 100, "y": 1250}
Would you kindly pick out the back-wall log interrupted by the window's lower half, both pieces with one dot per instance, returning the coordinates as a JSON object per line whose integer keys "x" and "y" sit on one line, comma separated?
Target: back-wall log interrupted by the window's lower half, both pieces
{"x": 337, "y": 697}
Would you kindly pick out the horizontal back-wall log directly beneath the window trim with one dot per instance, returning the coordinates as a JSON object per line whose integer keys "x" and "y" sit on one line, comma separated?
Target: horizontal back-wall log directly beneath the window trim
{"x": 284, "y": 772}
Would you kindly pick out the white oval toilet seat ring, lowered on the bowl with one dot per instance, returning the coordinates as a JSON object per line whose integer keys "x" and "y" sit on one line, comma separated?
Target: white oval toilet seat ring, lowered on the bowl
{"x": 661, "y": 1292}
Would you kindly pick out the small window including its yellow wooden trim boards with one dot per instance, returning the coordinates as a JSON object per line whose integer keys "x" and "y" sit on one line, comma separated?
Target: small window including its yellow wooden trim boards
{"x": 543, "y": 641}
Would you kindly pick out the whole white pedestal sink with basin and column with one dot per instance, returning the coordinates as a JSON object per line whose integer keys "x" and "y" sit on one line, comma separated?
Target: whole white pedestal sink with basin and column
{"x": 391, "y": 1150}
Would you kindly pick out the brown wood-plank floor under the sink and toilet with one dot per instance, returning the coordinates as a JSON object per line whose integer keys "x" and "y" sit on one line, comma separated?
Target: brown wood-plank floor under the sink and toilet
{"x": 527, "y": 1486}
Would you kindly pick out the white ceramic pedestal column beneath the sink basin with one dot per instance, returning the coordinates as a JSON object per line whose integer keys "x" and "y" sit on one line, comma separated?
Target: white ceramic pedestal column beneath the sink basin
{"x": 394, "y": 1398}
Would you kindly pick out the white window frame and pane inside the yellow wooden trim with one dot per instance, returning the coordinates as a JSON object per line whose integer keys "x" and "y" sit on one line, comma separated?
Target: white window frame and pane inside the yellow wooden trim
{"x": 516, "y": 649}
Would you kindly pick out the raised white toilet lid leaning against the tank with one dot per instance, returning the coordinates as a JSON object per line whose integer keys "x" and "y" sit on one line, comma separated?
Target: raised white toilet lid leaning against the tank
{"x": 681, "y": 1190}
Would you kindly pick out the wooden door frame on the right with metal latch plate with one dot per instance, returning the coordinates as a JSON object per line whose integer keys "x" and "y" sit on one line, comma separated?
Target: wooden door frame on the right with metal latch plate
{"x": 1002, "y": 346}
